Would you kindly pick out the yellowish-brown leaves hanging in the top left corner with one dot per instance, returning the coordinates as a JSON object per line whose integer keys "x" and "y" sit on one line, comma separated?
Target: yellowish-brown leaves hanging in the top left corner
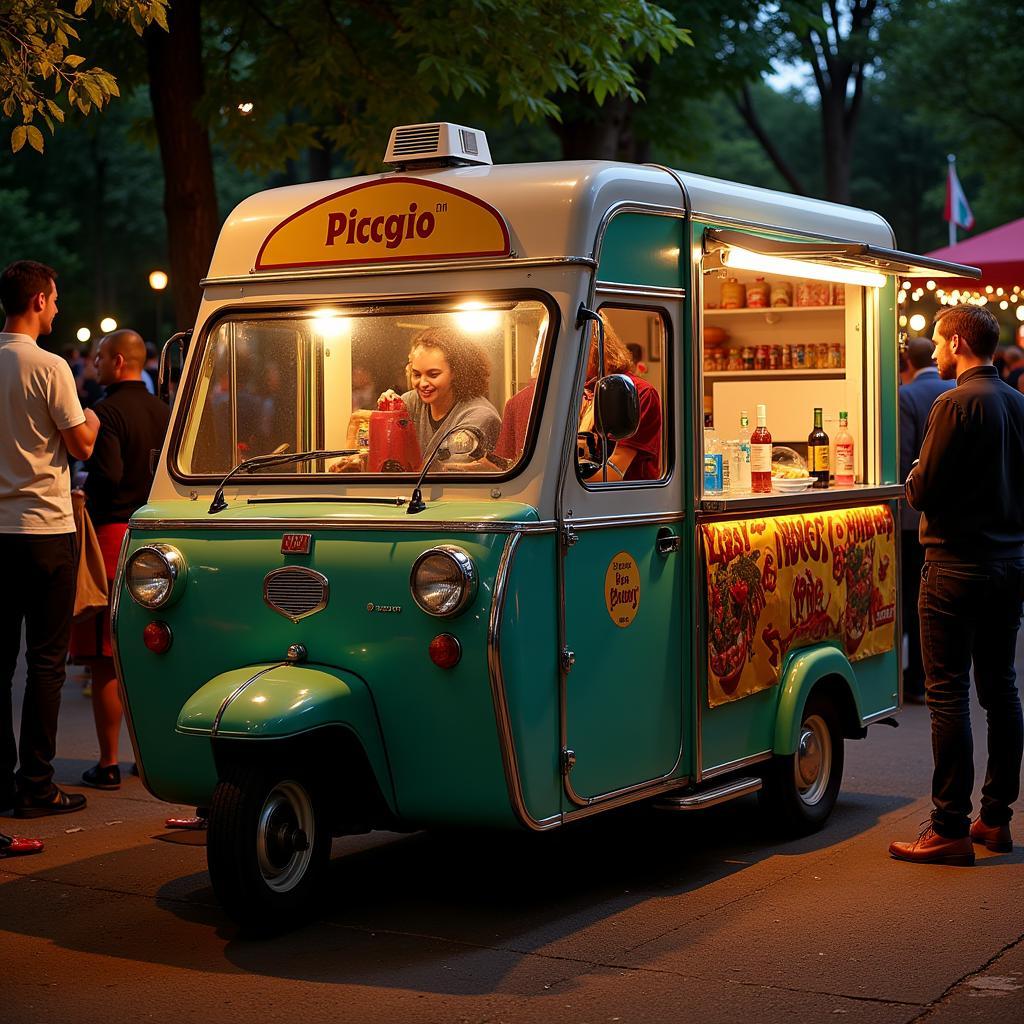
{"x": 36, "y": 58}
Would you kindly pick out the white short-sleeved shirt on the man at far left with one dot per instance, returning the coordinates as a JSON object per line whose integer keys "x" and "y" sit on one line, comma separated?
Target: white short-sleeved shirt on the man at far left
{"x": 38, "y": 400}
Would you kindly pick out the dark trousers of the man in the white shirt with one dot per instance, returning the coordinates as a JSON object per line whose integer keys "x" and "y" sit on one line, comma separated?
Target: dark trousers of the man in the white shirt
{"x": 39, "y": 590}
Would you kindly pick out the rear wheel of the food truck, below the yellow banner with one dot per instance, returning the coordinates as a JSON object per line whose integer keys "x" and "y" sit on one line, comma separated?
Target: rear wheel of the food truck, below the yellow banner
{"x": 800, "y": 789}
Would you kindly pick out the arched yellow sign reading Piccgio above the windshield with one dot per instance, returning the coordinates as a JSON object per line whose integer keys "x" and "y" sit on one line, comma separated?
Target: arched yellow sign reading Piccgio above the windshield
{"x": 388, "y": 222}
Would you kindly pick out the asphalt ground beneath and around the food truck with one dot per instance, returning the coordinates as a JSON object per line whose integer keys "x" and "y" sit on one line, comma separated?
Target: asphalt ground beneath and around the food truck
{"x": 635, "y": 916}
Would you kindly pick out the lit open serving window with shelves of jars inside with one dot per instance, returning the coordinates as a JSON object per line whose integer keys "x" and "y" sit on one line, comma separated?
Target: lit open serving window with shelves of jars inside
{"x": 793, "y": 336}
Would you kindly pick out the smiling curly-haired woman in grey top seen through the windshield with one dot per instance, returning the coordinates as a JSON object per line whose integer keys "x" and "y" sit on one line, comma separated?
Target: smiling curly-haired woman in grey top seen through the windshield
{"x": 449, "y": 377}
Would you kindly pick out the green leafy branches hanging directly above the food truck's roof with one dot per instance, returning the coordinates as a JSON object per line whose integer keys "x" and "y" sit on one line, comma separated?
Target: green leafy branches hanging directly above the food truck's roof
{"x": 340, "y": 74}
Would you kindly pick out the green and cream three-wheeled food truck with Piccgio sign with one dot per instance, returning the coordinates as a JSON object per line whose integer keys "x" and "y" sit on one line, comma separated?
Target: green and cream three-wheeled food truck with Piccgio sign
{"x": 340, "y": 613}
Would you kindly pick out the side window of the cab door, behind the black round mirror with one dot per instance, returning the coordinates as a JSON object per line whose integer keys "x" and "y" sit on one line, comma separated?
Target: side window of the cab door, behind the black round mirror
{"x": 636, "y": 344}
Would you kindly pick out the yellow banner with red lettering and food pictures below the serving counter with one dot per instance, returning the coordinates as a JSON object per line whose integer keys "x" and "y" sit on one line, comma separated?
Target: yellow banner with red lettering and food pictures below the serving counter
{"x": 787, "y": 582}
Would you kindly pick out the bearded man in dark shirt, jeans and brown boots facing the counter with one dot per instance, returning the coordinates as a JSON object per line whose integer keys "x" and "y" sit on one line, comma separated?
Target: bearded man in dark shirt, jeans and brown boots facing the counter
{"x": 969, "y": 486}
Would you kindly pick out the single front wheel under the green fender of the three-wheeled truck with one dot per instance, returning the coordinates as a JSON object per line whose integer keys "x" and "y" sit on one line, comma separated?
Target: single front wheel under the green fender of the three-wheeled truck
{"x": 268, "y": 847}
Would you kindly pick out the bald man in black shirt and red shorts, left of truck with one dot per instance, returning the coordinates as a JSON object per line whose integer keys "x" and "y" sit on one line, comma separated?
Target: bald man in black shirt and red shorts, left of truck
{"x": 119, "y": 480}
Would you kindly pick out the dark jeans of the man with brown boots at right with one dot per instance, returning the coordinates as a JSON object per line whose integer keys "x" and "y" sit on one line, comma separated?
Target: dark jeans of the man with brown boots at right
{"x": 972, "y": 612}
